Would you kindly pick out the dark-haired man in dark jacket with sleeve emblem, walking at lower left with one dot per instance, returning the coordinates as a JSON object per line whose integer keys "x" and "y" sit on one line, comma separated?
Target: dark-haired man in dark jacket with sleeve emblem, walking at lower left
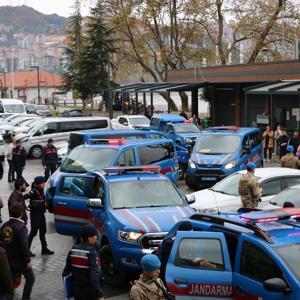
{"x": 14, "y": 235}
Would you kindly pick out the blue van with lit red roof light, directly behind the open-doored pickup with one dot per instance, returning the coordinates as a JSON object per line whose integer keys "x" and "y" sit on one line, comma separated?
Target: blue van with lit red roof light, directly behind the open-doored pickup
{"x": 101, "y": 153}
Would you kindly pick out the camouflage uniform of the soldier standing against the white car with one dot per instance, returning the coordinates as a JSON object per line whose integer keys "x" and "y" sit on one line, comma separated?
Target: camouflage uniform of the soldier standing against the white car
{"x": 250, "y": 191}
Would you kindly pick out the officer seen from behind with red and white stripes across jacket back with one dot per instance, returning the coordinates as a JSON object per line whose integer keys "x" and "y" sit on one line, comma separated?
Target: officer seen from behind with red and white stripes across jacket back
{"x": 83, "y": 263}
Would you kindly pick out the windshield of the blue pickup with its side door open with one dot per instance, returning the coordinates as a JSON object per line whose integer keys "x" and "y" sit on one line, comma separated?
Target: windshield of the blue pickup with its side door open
{"x": 143, "y": 193}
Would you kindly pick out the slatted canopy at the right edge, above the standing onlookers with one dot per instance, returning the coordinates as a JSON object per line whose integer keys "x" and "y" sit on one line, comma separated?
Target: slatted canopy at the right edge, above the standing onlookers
{"x": 278, "y": 87}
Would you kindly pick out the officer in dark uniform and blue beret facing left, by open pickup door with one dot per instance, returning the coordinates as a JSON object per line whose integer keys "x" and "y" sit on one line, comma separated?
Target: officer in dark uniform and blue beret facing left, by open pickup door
{"x": 37, "y": 214}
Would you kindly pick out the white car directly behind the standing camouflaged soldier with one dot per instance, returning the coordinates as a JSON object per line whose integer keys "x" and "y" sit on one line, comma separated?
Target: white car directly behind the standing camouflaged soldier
{"x": 224, "y": 195}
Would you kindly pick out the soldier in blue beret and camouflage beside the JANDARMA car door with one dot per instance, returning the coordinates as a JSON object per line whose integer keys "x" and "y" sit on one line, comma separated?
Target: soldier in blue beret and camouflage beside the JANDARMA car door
{"x": 149, "y": 286}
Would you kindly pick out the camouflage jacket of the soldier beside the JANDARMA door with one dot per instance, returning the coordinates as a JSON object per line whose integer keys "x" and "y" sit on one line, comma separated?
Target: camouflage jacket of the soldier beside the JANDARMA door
{"x": 147, "y": 289}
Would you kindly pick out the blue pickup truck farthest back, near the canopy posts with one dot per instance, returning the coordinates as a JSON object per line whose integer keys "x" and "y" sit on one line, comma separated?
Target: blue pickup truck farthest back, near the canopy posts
{"x": 181, "y": 131}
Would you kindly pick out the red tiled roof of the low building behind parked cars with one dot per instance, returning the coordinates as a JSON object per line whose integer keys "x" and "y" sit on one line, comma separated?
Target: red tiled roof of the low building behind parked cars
{"x": 28, "y": 79}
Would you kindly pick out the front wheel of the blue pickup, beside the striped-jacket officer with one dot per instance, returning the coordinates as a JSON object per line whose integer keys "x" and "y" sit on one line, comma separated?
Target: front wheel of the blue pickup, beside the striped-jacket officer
{"x": 111, "y": 273}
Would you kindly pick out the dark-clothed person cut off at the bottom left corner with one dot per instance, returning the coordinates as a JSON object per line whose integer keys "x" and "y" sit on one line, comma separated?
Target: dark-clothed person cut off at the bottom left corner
{"x": 6, "y": 286}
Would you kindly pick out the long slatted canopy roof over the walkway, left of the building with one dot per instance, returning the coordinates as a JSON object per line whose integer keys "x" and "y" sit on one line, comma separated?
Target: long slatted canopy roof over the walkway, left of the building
{"x": 156, "y": 87}
